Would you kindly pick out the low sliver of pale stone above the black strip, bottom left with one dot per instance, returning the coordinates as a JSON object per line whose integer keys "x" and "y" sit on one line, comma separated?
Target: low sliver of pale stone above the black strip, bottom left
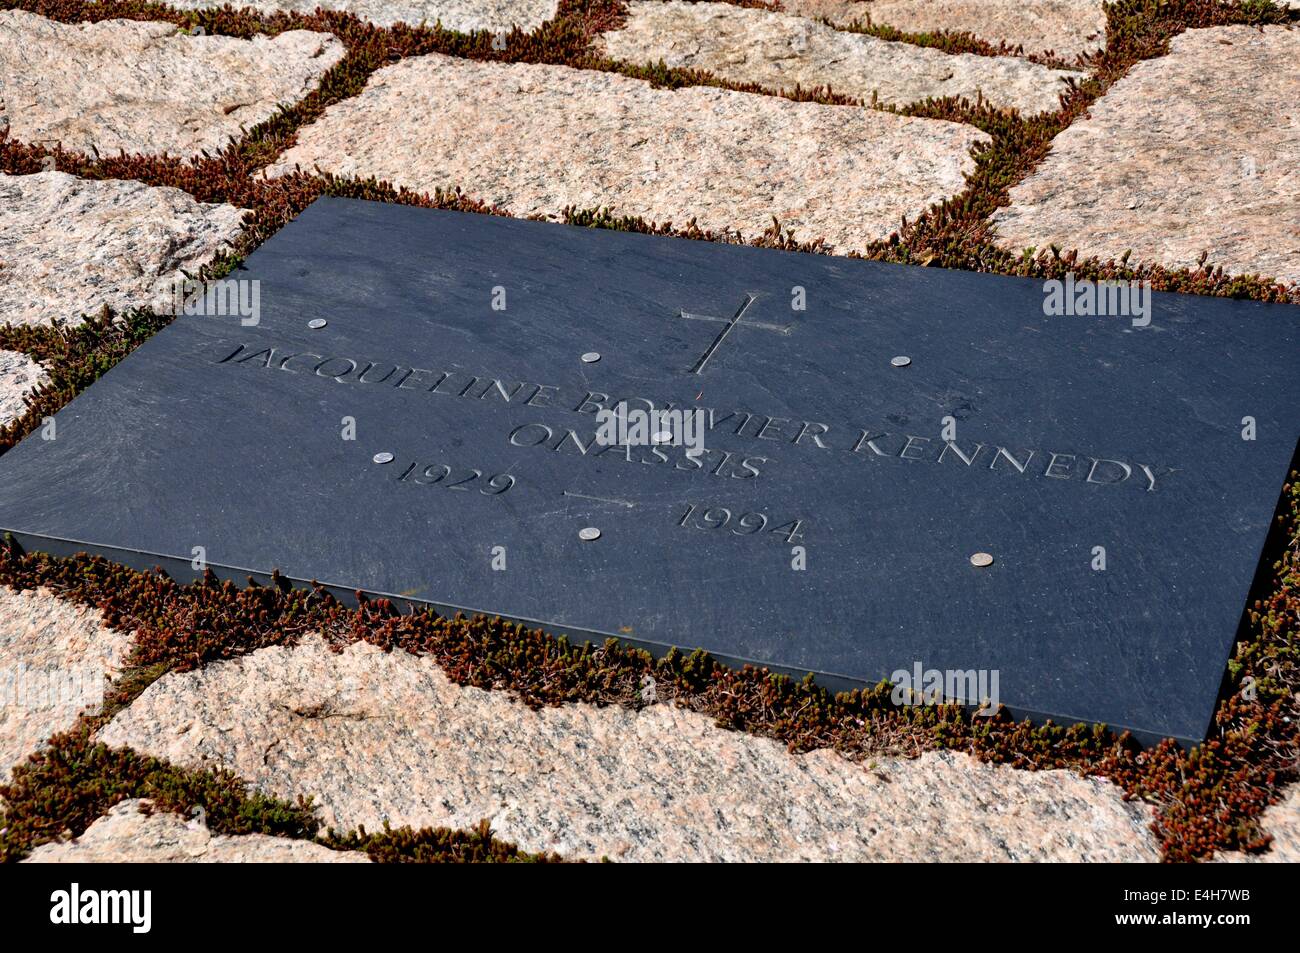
{"x": 128, "y": 837}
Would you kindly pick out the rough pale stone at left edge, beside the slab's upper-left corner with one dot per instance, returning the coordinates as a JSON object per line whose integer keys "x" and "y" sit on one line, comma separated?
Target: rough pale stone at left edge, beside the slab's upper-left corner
{"x": 70, "y": 246}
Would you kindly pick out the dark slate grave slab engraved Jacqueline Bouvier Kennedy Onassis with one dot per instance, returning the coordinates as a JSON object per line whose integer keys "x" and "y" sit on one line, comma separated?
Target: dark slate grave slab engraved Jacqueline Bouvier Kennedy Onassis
{"x": 1072, "y": 434}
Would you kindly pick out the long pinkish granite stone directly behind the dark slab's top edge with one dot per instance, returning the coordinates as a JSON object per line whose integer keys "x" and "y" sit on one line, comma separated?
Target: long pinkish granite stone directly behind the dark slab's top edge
{"x": 523, "y": 189}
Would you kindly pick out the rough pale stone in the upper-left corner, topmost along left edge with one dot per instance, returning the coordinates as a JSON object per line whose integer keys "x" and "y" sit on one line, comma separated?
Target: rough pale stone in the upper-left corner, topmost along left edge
{"x": 146, "y": 88}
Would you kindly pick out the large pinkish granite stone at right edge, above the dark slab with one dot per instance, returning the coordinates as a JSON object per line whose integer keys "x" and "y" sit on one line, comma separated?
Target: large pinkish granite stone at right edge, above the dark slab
{"x": 1193, "y": 153}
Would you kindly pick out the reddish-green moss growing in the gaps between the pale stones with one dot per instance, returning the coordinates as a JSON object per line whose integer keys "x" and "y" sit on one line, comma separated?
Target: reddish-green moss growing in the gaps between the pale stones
{"x": 1208, "y": 799}
